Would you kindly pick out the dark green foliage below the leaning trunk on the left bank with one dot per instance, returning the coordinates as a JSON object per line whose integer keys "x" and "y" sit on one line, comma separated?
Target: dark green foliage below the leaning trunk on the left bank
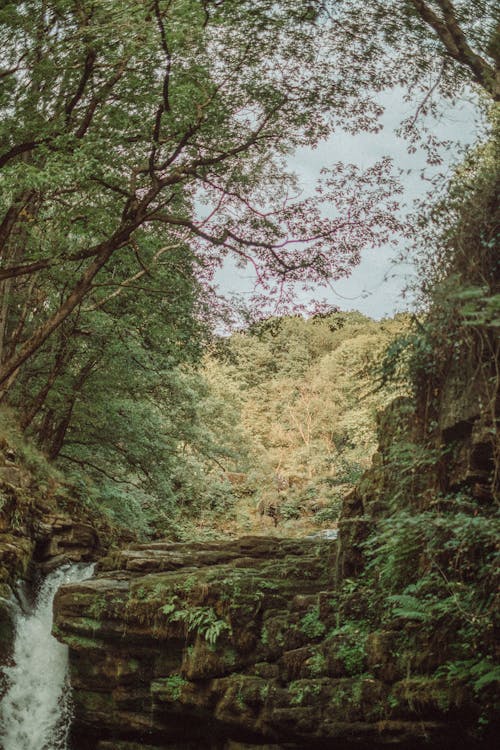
{"x": 113, "y": 396}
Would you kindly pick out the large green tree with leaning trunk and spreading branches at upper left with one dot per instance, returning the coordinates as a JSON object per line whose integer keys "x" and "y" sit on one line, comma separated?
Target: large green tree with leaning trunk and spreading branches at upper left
{"x": 122, "y": 118}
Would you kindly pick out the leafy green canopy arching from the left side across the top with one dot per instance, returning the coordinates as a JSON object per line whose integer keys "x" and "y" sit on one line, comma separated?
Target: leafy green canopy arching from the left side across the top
{"x": 143, "y": 143}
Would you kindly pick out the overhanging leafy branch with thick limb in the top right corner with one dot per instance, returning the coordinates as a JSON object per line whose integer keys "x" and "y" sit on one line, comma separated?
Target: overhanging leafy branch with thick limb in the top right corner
{"x": 433, "y": 49}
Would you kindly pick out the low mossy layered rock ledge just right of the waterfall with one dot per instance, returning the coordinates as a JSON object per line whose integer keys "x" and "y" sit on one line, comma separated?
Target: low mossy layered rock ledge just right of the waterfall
{"x": 237, "y": 645}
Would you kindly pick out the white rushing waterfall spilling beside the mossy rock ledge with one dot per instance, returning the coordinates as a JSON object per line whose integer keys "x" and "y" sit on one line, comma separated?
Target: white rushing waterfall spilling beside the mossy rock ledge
{"x": 35, "y": 712}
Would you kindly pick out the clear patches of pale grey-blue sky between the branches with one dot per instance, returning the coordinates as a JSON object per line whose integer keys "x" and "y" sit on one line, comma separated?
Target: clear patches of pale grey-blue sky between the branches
{"x": 376, "y": 286}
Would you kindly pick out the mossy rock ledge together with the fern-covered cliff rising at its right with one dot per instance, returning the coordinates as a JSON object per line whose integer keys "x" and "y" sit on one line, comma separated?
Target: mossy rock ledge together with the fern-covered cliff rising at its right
{"x": 273, "y": 643}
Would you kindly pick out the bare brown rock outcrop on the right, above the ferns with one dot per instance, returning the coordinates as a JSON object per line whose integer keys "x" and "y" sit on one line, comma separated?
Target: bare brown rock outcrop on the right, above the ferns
{"x": 459, "y": 458}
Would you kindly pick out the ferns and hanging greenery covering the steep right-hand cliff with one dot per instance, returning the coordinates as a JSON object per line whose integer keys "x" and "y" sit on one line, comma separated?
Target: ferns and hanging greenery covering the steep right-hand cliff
{"x": 430, "y": 558}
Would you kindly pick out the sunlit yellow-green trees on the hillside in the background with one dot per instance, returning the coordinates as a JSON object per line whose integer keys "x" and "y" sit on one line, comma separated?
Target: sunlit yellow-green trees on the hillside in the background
{"x": 306, "y": 396}
